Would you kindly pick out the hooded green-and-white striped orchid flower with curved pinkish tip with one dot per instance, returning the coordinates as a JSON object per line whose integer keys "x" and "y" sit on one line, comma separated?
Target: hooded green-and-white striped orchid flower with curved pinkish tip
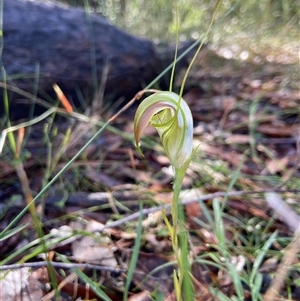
{"x": 170, "y": 115}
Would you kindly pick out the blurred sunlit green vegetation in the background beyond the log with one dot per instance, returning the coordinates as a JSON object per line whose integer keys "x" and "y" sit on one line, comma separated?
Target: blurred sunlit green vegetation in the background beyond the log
{"x": 255, "y": 27}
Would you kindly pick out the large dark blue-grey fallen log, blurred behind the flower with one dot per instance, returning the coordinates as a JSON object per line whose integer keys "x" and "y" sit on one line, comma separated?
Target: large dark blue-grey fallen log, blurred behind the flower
{"x": 46, "y": 43}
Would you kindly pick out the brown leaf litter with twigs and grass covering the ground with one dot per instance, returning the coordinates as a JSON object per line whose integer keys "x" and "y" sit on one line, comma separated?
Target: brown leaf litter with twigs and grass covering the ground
{"x": 247, "y": 130}
